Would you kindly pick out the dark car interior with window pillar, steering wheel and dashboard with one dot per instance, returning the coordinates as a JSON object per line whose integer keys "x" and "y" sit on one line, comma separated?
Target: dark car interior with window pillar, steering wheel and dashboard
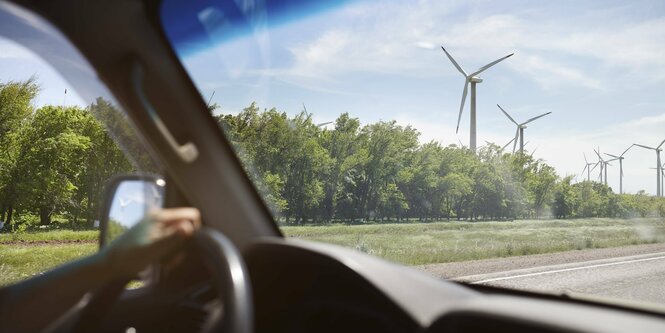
{"x": 240, "y": 274}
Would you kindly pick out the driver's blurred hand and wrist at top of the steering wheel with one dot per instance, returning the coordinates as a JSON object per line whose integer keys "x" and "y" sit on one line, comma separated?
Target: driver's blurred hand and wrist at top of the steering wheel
{"x": 158, "y": 235}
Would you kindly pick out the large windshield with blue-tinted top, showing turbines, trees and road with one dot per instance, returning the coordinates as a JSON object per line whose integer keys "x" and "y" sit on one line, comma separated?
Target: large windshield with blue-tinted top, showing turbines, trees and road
{"x": 450, "y": 135}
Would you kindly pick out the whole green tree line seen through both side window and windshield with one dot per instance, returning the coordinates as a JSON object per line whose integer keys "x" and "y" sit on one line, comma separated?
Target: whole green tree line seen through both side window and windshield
{"x": 55, "y": 162}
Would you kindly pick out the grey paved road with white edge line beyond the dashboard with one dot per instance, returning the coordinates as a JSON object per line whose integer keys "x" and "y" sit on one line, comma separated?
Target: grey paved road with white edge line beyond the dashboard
{"x": 634, "y": 277}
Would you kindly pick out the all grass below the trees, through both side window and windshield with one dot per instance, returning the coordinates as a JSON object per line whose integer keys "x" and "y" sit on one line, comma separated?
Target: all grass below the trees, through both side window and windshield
{"x": 23, "y": 255}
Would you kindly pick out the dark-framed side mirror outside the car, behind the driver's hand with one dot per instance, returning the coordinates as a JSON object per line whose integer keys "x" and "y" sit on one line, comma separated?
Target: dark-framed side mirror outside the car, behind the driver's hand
{"x": 127, "y": 201}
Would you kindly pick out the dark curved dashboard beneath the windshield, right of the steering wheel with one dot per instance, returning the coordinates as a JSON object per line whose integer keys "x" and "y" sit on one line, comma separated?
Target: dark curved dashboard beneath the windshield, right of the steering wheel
{"x": 302, "y": 286}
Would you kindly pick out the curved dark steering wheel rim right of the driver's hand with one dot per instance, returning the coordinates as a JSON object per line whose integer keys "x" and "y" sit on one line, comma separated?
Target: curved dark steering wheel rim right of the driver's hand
{"x": 230, "y": 277}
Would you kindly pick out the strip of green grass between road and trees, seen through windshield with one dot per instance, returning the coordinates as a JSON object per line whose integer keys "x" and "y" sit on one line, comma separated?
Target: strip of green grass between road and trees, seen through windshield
{"x": 440, "y": 242}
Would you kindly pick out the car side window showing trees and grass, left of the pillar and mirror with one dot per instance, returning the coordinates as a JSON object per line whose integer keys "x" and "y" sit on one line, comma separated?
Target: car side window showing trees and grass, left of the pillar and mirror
{"x": 59, "y": 148}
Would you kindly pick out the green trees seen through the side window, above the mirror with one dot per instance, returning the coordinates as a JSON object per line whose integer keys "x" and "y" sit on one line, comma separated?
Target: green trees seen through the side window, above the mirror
{"x": 56, "y": 160}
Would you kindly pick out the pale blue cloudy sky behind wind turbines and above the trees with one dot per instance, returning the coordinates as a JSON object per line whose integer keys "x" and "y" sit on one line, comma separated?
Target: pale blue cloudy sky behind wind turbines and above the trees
{"x": 598, "y": 66}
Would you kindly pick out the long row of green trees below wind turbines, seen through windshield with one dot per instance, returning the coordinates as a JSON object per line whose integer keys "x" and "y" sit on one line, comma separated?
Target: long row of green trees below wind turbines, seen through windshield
{"x": 380, "y": 171}
